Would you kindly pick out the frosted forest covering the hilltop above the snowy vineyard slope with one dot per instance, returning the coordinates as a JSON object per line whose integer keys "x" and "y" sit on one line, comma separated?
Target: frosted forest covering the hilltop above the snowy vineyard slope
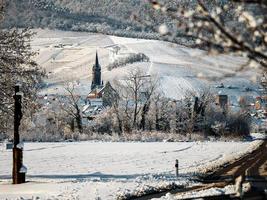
{"x": 125, "y": 18}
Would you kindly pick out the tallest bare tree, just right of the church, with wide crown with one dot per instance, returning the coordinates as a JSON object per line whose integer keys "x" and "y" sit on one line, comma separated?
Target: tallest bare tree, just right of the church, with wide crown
{"x": 135, "y": 92}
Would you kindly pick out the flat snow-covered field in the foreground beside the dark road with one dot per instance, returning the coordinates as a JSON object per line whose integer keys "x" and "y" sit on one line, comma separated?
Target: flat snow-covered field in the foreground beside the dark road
{"x": 103, "y": 170}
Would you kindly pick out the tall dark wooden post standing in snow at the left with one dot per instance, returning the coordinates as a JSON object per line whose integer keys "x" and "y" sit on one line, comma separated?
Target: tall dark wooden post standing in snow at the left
{"x": 17, "y": 176}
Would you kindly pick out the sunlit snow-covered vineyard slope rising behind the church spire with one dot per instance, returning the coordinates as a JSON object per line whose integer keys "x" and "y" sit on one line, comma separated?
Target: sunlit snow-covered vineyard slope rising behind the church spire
{"x": 69, "y": 56}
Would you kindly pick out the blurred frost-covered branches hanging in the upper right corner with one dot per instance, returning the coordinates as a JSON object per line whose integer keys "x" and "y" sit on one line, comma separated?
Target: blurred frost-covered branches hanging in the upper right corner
{"x": 238, "y": 26}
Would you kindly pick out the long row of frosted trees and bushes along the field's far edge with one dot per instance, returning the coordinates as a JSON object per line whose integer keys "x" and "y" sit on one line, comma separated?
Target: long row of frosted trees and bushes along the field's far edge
{"x": 138, "y": 111}
